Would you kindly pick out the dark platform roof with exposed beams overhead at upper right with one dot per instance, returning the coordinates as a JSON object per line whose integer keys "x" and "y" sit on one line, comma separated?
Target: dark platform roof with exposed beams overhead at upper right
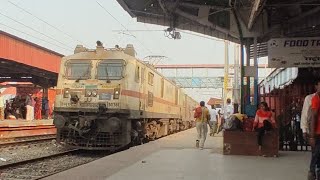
{"x": 231, "y": 19}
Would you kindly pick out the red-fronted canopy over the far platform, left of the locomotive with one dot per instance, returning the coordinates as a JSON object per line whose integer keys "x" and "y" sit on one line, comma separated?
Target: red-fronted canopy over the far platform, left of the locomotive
{"x": 24, "y": 61}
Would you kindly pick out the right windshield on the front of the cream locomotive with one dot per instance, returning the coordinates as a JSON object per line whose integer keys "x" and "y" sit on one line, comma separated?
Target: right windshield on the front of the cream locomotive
{"x": 110, "y": 70}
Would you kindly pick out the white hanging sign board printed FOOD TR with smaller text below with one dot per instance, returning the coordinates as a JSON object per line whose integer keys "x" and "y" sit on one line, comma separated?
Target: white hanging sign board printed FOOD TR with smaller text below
{"x": 294, "y": 52}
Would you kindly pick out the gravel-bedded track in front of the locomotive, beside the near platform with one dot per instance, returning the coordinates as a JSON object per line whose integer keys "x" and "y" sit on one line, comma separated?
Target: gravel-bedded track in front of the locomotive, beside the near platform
{"x": 45, "y": 166}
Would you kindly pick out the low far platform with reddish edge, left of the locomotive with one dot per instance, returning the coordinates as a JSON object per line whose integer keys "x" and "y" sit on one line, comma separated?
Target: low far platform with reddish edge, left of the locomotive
{"x": 22, "y": 128}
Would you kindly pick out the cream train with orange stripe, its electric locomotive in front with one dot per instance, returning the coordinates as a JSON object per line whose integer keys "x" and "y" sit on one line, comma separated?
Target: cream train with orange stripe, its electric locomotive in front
{"x": 107, "y": 99}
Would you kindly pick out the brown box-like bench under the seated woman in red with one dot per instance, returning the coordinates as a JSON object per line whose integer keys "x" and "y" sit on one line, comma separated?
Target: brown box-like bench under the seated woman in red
{"x": 245, "y": 143}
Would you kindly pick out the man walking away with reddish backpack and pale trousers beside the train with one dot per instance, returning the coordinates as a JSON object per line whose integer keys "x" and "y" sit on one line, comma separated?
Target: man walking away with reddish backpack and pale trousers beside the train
{"x": 202, "y": 116}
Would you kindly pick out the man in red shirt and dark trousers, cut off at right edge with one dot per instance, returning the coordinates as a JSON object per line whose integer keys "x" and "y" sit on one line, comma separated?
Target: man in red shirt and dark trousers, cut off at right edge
{"x": 314, "y": 139}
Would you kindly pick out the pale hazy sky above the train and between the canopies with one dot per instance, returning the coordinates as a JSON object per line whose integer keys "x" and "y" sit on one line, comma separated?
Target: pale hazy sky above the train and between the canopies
{"x": 60, "y": 25}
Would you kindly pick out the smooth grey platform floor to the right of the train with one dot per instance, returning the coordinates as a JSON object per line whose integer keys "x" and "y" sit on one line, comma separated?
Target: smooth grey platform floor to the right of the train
{"x": 175, "y": 157}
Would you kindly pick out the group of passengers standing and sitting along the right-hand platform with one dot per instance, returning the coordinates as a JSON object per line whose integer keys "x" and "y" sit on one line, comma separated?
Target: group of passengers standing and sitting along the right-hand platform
{"x": 298, "y": 123}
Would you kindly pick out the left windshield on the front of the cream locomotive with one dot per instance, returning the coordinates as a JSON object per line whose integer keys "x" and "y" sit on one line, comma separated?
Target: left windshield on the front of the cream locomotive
{"x": 78, "y": 70}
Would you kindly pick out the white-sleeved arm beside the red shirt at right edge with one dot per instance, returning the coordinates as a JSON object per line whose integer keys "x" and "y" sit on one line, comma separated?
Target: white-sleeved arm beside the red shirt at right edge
{"x": 306, "y": 115}
